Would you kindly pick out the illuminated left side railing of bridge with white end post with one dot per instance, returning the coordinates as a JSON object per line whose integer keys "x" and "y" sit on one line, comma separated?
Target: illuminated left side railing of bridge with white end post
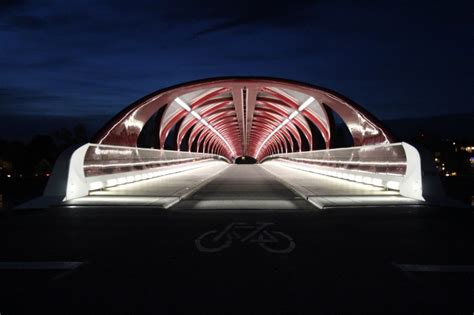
{"x": 93, "y": 166}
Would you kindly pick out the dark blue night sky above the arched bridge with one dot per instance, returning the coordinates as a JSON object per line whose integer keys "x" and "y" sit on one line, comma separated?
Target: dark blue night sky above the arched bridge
{"x": 86, "y": 60}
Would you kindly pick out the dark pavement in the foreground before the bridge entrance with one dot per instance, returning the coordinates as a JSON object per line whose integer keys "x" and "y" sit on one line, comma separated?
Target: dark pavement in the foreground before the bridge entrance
{"x": 148, "y": 261}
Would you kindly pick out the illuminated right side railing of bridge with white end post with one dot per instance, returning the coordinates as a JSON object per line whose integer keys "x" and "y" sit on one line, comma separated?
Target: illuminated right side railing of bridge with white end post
{"x": 394, "y": 166}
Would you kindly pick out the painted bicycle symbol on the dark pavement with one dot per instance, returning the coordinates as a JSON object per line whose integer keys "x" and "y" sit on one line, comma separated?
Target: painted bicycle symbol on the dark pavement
{"x": 272, "y": 241}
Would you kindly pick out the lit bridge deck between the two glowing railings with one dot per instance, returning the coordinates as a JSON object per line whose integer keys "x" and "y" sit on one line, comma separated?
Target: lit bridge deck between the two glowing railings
{"x": 262, "y": 187}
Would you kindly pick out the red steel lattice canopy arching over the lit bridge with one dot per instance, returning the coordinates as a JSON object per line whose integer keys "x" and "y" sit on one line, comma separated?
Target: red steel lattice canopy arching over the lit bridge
{"x": 243, "y": 116}
